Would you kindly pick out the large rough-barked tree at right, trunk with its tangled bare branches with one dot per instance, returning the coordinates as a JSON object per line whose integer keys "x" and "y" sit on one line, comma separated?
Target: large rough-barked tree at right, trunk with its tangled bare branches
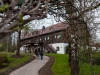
{"x": 80, "y": 23}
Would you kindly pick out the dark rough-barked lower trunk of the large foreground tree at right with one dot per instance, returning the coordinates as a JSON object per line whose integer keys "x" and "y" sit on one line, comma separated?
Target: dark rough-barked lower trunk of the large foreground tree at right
{"x": 74, "y": 56}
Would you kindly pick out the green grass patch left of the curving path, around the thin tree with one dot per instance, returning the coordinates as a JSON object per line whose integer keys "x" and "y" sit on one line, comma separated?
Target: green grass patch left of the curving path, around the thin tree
{"x": 15, "y": 61}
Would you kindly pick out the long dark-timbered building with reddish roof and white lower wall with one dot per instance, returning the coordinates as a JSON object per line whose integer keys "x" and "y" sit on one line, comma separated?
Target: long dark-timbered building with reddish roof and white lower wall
{"x": 53, "y": 38}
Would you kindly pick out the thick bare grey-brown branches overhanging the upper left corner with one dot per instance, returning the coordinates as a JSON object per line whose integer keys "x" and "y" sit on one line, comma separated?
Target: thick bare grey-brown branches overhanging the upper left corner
{"x": 11, "y": 14}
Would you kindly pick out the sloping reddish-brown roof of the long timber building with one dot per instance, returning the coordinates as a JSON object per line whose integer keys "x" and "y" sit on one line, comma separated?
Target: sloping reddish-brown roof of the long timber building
{"x": 53, "y": 28}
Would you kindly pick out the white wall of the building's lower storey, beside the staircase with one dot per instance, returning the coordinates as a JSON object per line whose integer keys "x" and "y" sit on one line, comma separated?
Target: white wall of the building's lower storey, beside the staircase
{"x": 61, "y": 47}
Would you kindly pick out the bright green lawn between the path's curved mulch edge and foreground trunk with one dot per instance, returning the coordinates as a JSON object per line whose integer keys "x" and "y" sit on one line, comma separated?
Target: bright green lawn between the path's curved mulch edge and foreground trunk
{"x": 60, "y": 66}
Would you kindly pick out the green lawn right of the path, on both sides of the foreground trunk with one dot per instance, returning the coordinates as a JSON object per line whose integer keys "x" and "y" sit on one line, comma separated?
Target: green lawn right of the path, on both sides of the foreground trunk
{"x": 60, "y": 67}
